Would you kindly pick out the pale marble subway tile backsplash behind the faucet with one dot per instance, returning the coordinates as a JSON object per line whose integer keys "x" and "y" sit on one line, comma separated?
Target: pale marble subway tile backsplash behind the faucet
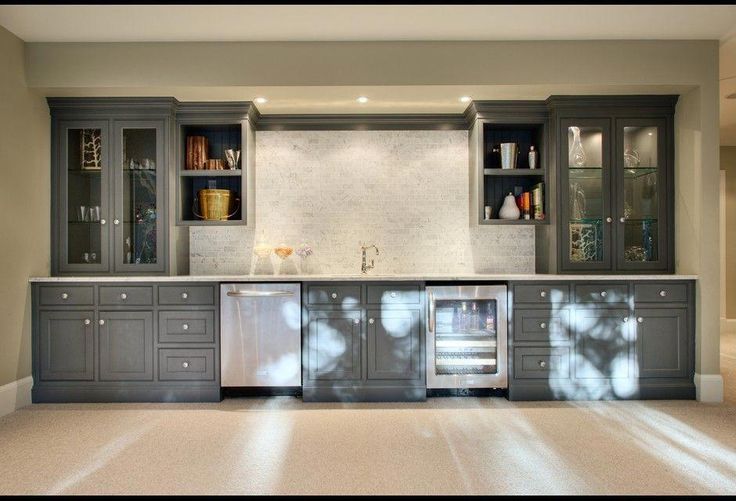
{"x": 404, "y": 191}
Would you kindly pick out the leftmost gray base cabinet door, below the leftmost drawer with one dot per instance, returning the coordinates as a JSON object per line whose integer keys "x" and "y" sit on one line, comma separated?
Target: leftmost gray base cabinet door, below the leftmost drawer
{"x": 66, "y": 345}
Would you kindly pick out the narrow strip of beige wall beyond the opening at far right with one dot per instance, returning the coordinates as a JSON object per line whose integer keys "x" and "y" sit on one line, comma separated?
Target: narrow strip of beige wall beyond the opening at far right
{"x": 728, "y": 164}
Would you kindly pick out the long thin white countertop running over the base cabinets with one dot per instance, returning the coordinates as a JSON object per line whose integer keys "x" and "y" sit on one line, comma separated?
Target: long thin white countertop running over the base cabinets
{"x": 487, "y": 277}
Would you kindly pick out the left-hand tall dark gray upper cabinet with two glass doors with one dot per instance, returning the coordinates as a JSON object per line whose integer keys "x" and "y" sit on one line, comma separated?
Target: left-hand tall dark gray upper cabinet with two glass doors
{"x": 109, "y": 180}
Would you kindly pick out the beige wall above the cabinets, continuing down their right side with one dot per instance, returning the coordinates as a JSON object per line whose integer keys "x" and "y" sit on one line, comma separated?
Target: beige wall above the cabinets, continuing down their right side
{"x": 692, "y": 65}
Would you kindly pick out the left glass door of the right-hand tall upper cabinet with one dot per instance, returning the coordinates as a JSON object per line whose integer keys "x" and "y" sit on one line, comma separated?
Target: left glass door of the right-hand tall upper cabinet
{"x": 586, "y": 182}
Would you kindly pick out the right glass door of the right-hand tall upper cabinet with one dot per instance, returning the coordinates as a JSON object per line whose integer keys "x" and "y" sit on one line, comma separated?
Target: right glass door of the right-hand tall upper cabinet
{"x": 640, "y": 211}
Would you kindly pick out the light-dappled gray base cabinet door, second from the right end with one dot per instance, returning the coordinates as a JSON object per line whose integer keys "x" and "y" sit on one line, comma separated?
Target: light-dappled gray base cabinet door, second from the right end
{"x": 603, "y": 344}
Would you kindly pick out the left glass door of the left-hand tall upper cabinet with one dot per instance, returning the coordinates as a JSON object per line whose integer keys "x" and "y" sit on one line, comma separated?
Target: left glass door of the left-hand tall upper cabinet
{"x": 84, "y": 234}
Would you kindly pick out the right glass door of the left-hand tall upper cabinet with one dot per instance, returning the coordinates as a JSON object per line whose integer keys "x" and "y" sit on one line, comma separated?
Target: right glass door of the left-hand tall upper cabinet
{"x": 139, "y": 164}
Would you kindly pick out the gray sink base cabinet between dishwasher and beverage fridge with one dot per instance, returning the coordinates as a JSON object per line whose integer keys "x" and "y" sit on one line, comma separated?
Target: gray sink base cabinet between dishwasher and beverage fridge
{"x": 365, "y": 344}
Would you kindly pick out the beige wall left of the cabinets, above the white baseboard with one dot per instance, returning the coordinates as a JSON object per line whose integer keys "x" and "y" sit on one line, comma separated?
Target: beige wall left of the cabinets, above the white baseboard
{"x": 24, "y": 206}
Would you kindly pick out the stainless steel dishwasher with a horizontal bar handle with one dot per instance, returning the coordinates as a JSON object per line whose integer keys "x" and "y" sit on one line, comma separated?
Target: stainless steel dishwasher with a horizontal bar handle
{"x": 260, "y": 335}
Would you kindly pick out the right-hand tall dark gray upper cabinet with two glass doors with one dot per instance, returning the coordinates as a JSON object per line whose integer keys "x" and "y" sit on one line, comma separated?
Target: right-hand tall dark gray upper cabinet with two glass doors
{"x": 615, "y": 161}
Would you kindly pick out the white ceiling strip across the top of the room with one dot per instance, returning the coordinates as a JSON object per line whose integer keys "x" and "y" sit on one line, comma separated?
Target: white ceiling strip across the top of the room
{"x": 148, "y": 23}
